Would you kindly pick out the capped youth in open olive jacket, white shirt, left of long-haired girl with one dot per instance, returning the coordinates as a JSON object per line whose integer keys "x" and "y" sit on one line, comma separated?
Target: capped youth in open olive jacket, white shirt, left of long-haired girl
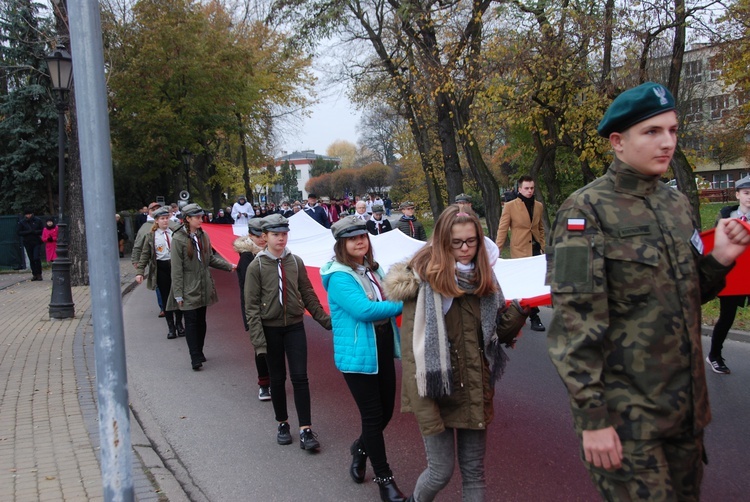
{"x": 156, "y": 255}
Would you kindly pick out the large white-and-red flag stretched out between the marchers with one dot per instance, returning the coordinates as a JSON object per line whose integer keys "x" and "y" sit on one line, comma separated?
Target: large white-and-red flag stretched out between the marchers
{"x": 520, "y": 278}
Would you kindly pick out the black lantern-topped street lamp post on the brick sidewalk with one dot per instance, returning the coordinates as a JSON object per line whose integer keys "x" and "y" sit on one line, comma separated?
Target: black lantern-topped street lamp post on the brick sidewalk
{"x": 61, "y": 304}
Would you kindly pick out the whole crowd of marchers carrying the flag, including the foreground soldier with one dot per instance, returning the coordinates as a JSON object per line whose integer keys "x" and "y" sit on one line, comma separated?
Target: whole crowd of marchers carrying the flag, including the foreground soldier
{"x": 626, "y": 281}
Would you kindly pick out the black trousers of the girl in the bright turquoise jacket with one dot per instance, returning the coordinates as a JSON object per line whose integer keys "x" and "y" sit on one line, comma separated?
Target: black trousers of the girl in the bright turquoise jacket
{"x": 375, "y": 396}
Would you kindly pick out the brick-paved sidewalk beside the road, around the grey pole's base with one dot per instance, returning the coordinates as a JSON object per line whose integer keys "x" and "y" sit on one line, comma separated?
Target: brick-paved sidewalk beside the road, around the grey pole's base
{"x": 49, "y": 436}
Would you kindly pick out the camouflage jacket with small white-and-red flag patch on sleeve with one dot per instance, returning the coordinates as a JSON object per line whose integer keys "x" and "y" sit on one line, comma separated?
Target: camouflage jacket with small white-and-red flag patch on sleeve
{"x": 627, "y": 283}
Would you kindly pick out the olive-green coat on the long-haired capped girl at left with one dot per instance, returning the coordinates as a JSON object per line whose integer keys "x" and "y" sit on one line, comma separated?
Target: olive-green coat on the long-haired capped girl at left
{"x": 191, "y": 278}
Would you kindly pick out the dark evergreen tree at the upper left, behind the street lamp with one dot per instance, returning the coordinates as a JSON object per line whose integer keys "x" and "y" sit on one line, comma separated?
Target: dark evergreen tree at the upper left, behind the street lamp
{"x": 28, "y": 118}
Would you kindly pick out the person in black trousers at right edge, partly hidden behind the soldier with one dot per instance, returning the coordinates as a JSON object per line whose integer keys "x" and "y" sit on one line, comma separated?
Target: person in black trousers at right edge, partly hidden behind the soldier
{"x": 729, "y": 304}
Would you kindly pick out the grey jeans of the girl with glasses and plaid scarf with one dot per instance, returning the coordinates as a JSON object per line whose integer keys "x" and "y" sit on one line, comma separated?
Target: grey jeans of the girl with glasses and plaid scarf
{"x": 441, "y": 452}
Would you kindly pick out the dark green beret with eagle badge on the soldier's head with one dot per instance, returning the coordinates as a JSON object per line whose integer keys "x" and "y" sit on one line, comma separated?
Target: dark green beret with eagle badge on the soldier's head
{"x": 635, "y": 105}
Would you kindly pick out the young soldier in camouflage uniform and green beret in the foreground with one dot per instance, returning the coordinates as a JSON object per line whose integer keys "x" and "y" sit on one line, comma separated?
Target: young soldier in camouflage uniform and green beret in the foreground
{"x": 627, "y": 275}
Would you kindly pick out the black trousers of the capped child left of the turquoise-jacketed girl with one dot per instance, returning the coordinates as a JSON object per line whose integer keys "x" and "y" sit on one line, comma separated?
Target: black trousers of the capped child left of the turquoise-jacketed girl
{"x": 288, "y": 344}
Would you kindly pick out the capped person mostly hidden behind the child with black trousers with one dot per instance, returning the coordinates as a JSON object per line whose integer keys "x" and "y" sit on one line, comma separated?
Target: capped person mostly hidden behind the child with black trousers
{"x": 248, "y": 247}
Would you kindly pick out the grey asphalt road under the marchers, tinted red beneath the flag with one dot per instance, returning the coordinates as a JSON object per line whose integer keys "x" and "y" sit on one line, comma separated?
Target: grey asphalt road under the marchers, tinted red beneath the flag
{"x": 220, "y": 440}
